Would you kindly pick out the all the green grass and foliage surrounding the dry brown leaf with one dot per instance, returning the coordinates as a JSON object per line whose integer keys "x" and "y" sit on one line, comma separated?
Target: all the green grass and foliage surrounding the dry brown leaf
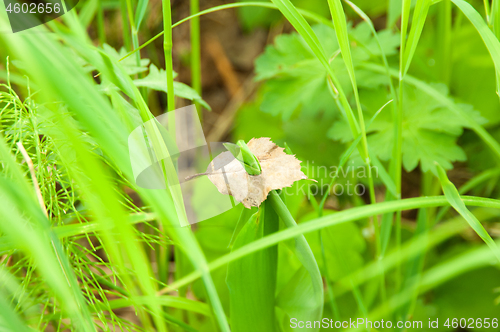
{"x": 83, "y": 248}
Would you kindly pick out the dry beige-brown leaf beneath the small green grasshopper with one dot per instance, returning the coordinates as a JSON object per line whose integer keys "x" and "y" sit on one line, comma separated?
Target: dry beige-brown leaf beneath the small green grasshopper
{"x": 279, "y": 170}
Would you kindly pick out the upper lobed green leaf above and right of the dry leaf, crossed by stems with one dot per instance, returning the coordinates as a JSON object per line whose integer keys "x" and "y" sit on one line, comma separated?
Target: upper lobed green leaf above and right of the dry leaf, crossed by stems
{"x": 290, "y": 69}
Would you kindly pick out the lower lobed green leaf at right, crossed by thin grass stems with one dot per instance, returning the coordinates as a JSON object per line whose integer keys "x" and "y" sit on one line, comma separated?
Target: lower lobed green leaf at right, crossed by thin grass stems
{"x": 430, "y": 131}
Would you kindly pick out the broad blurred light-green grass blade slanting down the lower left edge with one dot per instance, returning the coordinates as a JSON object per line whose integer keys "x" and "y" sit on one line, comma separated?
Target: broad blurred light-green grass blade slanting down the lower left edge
{"x": 43, "y": 245}
